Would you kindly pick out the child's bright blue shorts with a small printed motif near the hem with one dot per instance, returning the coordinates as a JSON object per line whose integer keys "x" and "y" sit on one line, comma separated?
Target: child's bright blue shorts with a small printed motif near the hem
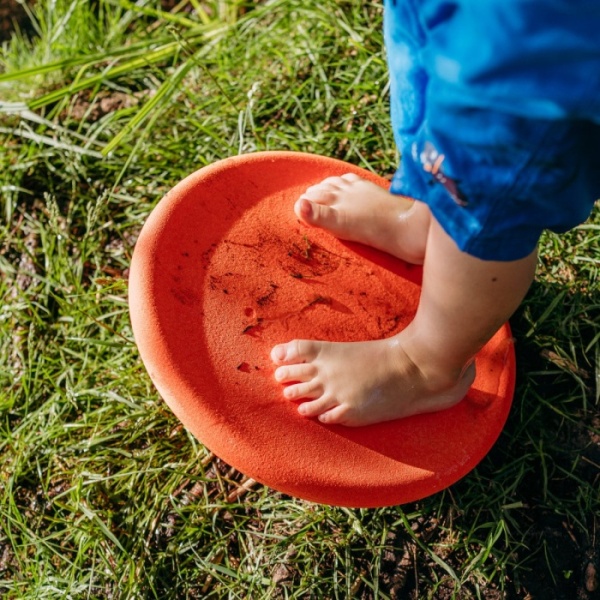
{"x": 496, "y": 112}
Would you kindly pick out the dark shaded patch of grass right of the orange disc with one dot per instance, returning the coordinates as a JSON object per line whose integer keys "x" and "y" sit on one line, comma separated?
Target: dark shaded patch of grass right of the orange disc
{"x": 547, "y": 461}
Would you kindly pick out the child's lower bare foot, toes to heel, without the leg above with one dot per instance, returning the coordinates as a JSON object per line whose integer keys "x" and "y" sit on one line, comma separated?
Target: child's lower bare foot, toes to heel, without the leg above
{"x": 363, "y": 382}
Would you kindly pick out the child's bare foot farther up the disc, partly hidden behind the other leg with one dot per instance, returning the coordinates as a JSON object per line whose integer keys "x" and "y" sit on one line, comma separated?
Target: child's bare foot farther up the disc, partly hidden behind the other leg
{"x": 357, "y": 210}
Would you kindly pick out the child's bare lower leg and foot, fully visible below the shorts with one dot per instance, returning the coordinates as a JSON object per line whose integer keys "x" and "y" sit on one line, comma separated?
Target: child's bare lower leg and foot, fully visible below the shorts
{"x": 425, "y": 368}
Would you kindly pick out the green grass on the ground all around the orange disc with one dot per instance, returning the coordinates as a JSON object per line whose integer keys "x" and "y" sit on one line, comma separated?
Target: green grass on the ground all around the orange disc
{"x": 102, "y": 493}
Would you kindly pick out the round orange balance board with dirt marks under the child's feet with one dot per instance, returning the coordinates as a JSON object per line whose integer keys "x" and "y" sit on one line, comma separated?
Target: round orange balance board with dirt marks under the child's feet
{"x": 223, "y": 270}
